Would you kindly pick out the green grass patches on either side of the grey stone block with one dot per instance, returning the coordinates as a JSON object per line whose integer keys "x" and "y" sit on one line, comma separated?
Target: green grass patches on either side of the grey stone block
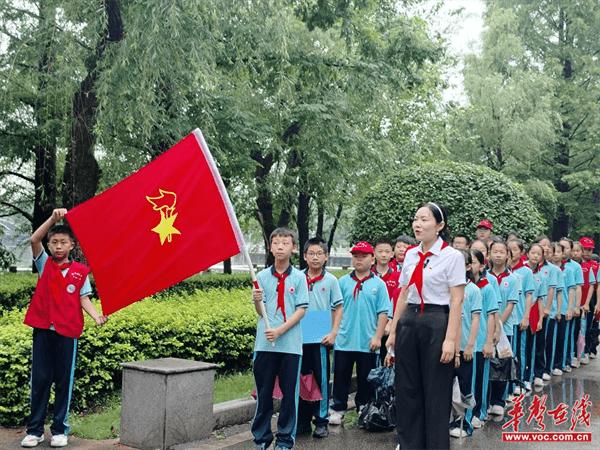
{"x": 104, "y": 422}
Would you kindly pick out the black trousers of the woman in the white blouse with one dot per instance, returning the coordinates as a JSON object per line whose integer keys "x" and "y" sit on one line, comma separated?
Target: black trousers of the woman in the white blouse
{"x": 423, "y": 384}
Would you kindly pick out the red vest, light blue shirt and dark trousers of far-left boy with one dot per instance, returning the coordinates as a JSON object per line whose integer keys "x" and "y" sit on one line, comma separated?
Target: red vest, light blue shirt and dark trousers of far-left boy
{"x": 56, "y": 316}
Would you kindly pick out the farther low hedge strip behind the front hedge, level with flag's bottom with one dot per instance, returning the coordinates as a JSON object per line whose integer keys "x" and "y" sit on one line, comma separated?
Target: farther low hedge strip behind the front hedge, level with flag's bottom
{"x": 16, "y": 289}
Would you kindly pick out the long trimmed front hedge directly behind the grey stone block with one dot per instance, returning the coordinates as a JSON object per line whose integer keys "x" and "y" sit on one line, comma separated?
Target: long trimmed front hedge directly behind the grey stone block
{"x": 216, "y": 326}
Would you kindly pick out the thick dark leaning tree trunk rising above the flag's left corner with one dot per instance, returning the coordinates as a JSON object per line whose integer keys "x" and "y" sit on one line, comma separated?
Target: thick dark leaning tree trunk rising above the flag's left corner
{"x": 82, "y": 173}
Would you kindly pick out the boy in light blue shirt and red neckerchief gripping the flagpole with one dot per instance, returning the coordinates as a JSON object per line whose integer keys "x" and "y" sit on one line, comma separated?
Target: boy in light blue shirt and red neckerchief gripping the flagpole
{"x": 278, "y": 348}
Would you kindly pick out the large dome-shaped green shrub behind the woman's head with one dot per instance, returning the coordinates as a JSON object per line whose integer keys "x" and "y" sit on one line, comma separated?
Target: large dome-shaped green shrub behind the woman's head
{"x": 469, "y": 193}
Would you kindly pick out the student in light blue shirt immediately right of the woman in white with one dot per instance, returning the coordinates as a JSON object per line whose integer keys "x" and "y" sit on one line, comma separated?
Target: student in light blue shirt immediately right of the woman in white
{"x": 471, "y": 313}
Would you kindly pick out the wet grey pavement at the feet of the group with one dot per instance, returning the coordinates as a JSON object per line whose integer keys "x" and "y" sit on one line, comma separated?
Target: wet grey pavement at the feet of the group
{"x": 567, "y": 389}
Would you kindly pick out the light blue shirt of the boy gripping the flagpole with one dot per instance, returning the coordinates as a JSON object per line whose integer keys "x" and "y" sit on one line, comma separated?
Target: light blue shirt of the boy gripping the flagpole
{"x": 296, "y": 296}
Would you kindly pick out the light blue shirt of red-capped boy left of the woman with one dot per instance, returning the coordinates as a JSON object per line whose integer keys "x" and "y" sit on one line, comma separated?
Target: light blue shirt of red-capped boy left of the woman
{"x": 361, "y": 314}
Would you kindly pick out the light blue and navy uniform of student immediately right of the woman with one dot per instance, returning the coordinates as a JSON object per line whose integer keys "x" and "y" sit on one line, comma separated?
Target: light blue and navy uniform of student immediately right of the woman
{"x": 472, "y": 305}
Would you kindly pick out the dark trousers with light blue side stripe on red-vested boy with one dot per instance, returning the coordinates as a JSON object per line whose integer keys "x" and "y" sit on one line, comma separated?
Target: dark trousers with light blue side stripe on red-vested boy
{"x": 53, "y": 362}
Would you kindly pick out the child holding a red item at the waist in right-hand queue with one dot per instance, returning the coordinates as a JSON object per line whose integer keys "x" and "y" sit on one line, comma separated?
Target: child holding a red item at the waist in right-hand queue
{"x": 536, "y": 342}
